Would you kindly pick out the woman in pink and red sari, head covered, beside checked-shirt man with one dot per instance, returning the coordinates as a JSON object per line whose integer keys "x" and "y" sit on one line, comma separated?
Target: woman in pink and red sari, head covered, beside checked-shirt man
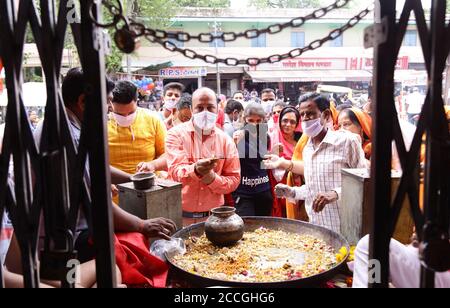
{"x": 283, "y": 142}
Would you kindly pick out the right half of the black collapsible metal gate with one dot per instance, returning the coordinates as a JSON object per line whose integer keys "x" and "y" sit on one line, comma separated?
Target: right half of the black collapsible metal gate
{"x": 432, "y": 224}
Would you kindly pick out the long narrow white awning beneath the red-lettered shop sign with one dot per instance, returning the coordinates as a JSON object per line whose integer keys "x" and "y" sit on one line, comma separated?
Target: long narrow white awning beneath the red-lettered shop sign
{"x": 310, "y": 75}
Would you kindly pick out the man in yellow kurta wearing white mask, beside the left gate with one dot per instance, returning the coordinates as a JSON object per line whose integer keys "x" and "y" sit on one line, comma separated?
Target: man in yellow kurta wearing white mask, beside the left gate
{"x": 135, "y": 135}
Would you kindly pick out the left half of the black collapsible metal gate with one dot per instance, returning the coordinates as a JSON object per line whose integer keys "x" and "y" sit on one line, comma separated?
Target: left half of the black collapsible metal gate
{"x": 51, "y": 179}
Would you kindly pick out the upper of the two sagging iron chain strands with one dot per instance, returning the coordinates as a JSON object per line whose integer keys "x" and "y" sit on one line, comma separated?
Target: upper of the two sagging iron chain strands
{"x": 117, "y": 12}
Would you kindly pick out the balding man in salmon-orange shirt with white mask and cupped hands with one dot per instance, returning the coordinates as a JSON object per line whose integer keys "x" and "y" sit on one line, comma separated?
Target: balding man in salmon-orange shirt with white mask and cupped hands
{"x": 203, "y": 158}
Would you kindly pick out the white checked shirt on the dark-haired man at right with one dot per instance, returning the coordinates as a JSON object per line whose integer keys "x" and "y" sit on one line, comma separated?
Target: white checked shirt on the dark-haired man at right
{"x": 323, "y": 167}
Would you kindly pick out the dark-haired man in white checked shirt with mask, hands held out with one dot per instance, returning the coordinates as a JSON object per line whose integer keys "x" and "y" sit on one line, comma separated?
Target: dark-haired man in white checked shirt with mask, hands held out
{"x": 325, "y": 155}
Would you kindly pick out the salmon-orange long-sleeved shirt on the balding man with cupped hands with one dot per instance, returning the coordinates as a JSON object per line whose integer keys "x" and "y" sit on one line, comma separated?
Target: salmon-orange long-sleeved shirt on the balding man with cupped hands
{"x": 184, "y": 147}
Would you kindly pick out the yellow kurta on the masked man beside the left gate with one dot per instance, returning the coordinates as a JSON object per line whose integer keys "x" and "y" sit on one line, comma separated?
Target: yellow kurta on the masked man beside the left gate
{"x": 144, "y": 141}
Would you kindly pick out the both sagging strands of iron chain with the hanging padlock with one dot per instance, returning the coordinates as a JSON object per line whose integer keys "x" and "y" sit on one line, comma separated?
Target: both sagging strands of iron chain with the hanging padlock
{"x": 130, "y": 32}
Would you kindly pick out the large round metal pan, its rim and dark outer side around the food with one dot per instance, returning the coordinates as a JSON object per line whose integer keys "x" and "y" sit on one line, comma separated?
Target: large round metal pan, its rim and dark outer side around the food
{"x": 252, "y": 223}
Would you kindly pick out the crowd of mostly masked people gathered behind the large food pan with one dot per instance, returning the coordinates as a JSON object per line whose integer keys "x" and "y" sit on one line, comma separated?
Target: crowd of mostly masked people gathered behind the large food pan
{"x": 260, "y": 155}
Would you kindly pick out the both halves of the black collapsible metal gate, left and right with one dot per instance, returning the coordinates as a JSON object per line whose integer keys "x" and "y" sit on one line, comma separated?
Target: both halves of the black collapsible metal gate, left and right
{"x": 51, "y": 179}
